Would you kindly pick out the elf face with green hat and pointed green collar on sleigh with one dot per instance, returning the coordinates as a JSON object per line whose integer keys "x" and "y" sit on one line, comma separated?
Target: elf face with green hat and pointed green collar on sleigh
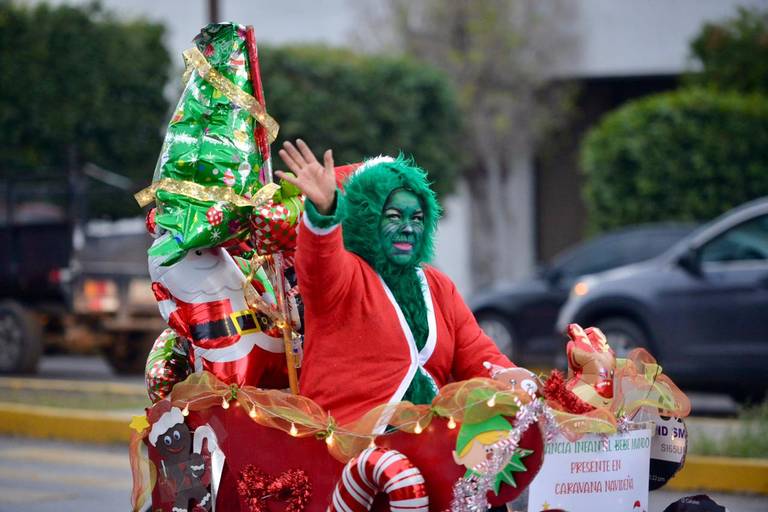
{"x": 474, "y": 446}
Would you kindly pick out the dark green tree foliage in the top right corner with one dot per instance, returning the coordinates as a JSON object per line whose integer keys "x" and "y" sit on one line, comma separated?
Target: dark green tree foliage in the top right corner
{"x": 733, "y": 54}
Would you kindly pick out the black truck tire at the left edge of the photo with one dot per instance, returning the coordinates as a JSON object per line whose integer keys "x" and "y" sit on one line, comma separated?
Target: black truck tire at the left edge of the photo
{"x": 20, "y": 339}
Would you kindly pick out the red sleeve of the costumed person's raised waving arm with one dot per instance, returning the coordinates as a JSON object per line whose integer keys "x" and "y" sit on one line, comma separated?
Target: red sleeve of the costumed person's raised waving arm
{"x": 324, "y": 268}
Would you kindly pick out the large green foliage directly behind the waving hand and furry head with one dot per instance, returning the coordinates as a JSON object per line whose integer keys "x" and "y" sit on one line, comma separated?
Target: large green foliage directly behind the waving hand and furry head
{"x": 363, "y": 106}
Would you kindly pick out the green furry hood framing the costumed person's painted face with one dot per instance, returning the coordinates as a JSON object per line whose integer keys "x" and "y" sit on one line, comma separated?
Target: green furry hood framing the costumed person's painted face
{"x": 365, "y": 194}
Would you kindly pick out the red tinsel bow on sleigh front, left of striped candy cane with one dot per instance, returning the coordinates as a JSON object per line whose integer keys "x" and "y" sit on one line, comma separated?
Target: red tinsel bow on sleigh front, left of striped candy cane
{"x": 257, "y": 487}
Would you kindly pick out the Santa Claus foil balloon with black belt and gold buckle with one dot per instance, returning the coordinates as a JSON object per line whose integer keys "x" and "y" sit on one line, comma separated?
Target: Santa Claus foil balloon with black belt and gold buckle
{"x": 201, "y": 297}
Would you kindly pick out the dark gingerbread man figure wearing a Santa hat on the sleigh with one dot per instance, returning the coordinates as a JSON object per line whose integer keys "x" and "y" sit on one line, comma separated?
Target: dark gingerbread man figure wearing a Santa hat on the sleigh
{"x": 183, "y": 475}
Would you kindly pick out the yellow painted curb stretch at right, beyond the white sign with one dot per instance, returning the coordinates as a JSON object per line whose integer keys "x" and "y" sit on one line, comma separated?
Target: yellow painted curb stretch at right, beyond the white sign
{"x": 726, "y": 474}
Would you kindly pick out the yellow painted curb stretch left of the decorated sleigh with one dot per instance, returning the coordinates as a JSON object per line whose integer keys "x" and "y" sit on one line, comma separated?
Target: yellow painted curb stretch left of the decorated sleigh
{"x": 66, "y": 424}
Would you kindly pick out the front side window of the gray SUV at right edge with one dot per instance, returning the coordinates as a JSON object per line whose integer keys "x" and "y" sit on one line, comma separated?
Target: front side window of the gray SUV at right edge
{"x": 747, "y": 241}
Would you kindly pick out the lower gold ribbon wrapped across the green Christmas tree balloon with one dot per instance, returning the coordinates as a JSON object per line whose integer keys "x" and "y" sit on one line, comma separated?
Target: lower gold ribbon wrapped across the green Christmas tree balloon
{"x": 203, "y": 193}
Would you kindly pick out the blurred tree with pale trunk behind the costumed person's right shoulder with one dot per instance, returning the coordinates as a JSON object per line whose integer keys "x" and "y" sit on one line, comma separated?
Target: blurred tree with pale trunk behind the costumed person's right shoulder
{"x": 501, "y": 56}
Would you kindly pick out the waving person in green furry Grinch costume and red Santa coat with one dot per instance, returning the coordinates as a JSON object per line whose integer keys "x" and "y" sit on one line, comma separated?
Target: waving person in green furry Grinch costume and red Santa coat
{"x": 381, "y": 326}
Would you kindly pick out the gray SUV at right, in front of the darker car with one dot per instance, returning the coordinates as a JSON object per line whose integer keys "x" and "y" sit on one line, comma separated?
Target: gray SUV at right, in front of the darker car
{"x": 701, "y": 307}
